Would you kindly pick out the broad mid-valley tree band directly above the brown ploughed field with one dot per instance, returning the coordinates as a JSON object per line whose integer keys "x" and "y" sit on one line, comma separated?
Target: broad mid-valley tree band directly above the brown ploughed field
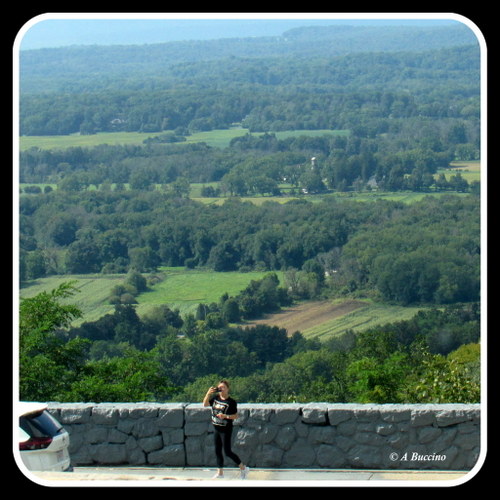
{"x": 426, "y": 252}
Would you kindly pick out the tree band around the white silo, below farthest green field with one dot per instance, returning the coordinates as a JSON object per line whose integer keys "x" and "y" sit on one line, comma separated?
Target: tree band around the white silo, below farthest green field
{"x": 265, "y": 165}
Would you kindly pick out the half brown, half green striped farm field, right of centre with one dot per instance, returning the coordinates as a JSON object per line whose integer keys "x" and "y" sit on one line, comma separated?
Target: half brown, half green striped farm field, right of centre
{"x": 323, "y": 319}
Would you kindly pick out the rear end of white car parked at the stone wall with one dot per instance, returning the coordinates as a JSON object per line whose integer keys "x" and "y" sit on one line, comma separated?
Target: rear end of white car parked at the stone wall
{"x": 43, "y": 442}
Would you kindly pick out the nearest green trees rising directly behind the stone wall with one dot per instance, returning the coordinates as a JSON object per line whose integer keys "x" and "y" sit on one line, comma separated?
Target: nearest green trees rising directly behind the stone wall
{"x": 404, "y": 362}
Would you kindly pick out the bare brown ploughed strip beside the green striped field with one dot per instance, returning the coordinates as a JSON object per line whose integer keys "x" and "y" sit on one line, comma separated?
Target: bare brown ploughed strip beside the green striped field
{"x": 308, "y": 314}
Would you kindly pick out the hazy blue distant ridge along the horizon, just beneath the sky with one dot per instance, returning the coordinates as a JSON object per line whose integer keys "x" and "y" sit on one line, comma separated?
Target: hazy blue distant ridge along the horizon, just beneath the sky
{"x": 148, "y": 59}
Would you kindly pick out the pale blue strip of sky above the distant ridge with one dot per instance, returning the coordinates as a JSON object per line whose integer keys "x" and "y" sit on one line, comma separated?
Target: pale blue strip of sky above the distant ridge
{"x": 54, "y": 30}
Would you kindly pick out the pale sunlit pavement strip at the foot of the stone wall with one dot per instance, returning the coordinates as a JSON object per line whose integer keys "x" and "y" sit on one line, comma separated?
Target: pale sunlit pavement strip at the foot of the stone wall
{"x": 193, "y": 476}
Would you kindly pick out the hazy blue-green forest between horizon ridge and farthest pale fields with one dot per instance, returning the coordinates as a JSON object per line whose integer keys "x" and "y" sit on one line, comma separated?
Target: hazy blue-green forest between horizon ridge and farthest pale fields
{"x": 263, "y": 94}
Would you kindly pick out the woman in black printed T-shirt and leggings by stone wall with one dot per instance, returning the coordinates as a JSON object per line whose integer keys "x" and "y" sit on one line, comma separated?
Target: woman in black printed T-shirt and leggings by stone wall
{"x": 224, "y": 411}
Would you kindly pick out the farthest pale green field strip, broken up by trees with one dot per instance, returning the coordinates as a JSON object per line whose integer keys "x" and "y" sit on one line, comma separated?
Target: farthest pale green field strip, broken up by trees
{"x": 214, "y": 138}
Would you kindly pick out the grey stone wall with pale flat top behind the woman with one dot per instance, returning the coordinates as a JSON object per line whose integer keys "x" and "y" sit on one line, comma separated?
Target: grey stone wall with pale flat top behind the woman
{"x": 315, "y": 435}
